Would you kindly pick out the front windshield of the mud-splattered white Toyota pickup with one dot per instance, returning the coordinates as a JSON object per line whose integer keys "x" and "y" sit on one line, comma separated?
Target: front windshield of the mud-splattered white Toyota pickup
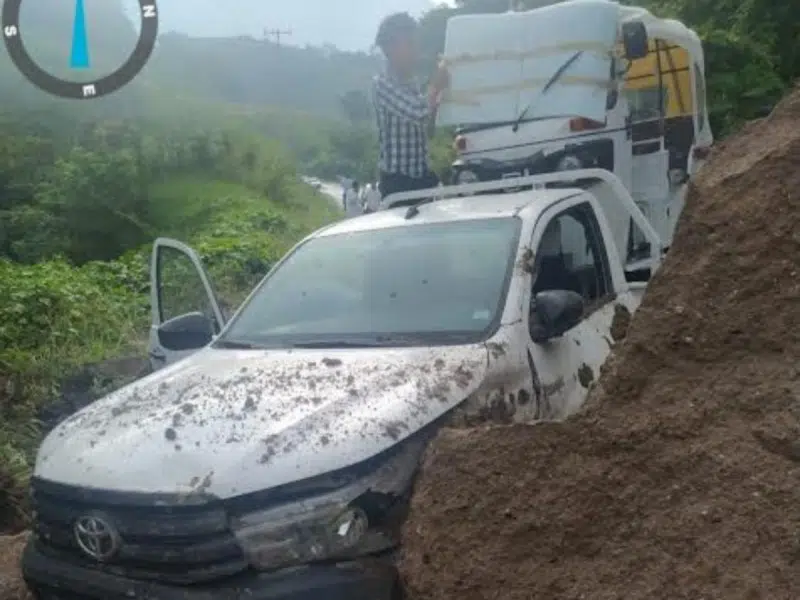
{"x": 434, "y": 283}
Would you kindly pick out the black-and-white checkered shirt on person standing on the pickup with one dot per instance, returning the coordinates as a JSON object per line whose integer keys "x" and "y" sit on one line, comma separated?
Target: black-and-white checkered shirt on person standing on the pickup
{"x": 402, "y": 113}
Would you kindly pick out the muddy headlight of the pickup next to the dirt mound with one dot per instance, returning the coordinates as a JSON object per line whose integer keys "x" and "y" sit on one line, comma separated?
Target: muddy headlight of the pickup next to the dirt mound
{"x": 326, "y": 526}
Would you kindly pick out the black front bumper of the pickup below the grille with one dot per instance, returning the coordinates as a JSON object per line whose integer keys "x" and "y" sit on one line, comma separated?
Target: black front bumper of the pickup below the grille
{"x": 54, "y": 579}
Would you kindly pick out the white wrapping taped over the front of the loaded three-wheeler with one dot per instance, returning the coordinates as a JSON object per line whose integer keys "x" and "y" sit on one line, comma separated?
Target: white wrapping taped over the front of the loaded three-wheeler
{"x": 500, "y": 64}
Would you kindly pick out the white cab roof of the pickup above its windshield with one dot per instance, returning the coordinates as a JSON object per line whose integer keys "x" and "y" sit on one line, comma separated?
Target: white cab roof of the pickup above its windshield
{"x": 527, "y": 204}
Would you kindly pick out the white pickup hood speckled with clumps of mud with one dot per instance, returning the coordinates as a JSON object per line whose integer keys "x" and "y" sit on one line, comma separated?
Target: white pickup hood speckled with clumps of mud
{"x": 229, "y": 422}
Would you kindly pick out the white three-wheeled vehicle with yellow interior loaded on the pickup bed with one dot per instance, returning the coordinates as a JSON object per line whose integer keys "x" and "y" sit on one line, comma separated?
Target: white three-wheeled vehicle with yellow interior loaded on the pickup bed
{"x": 581, "y": 84}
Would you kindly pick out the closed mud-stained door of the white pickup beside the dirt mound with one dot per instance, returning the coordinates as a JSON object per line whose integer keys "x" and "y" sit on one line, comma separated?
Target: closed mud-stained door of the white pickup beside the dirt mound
{"x": 571, "y": 278}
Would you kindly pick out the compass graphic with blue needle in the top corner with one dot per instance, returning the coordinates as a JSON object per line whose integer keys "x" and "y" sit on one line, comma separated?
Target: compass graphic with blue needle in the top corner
{"x": 79, "y": 53}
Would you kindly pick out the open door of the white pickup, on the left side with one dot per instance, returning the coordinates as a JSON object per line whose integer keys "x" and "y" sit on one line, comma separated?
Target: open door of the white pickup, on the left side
{"x": 185, "y": 312}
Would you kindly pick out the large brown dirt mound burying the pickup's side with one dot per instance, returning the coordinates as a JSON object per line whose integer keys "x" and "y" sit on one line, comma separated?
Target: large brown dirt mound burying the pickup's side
{"x": 682, "y": 478}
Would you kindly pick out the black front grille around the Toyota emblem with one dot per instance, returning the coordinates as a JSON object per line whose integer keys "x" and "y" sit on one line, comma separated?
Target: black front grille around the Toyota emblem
{"x": 167, "y": 542}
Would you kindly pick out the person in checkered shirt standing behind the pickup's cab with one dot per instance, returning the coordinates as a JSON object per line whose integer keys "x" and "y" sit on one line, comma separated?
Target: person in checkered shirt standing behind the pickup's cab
{"x": 405, "y": 116}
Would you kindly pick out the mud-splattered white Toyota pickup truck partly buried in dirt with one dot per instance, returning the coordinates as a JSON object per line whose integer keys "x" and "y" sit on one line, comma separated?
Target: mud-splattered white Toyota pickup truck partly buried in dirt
{"x": 271, "y": 456}
